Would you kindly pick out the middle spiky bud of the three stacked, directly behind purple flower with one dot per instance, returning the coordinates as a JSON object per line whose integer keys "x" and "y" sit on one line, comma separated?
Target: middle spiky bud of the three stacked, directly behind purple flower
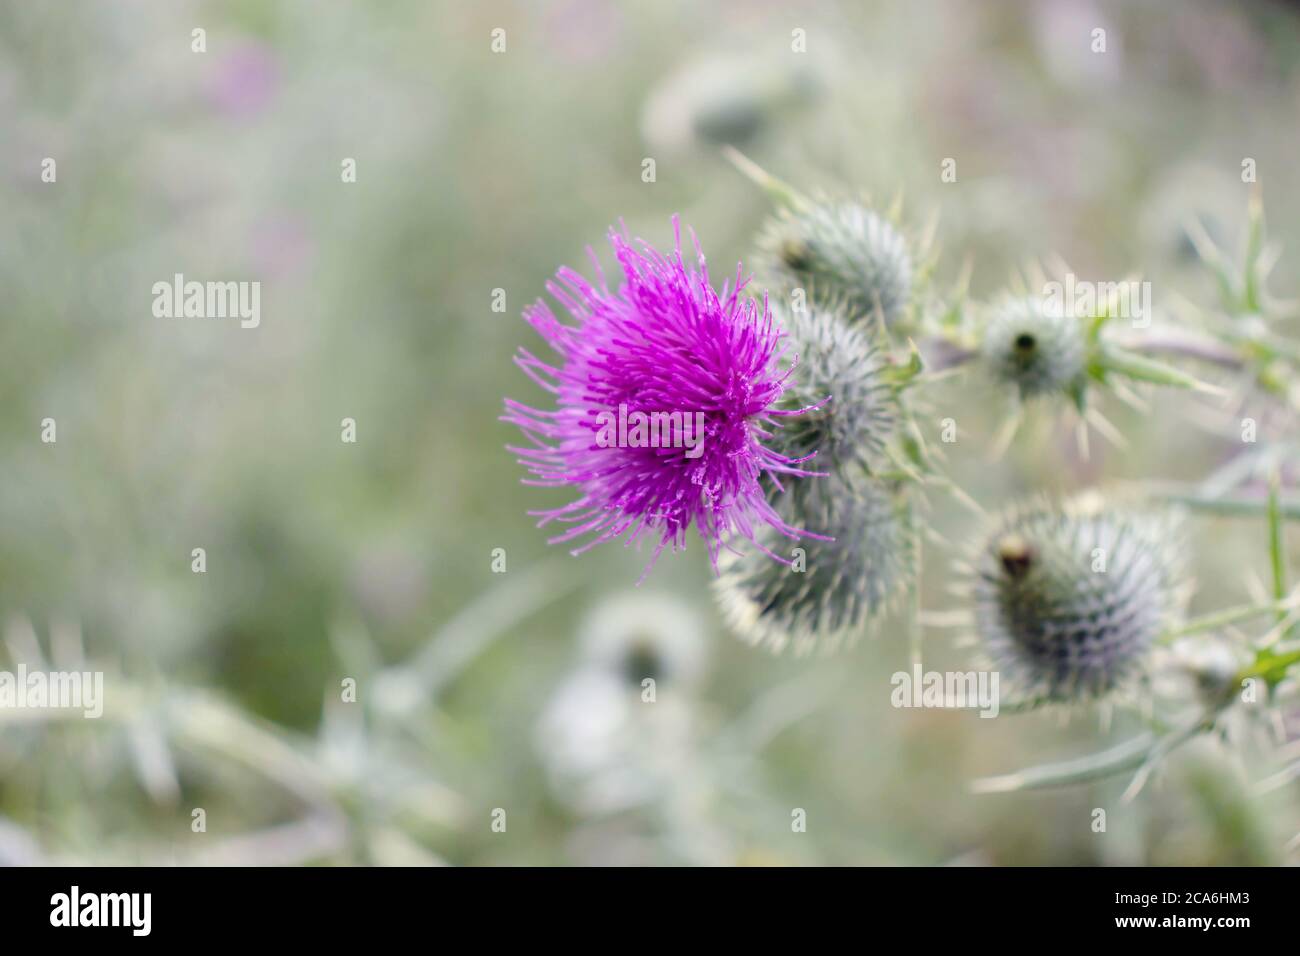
{"x": 840, "y": 379}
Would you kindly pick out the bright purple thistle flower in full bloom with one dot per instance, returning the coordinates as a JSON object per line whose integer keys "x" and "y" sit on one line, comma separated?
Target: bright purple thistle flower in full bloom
{"x": 664, "y": 343}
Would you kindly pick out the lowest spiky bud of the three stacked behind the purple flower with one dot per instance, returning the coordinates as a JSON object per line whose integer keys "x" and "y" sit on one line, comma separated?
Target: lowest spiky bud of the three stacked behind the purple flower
{"x": 826, "y": 598}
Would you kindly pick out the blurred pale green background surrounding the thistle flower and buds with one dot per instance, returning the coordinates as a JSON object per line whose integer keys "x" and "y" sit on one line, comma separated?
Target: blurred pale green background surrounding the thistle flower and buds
{"x": 482, "y": 171}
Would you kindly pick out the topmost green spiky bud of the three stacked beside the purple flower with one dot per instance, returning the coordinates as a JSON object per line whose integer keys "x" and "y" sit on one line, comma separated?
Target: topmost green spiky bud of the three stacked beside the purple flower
{"x": 842, "y": 253}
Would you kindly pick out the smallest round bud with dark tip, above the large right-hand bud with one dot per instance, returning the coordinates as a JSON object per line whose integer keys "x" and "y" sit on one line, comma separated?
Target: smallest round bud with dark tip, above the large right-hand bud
{"x": 1034, "y": 347}
